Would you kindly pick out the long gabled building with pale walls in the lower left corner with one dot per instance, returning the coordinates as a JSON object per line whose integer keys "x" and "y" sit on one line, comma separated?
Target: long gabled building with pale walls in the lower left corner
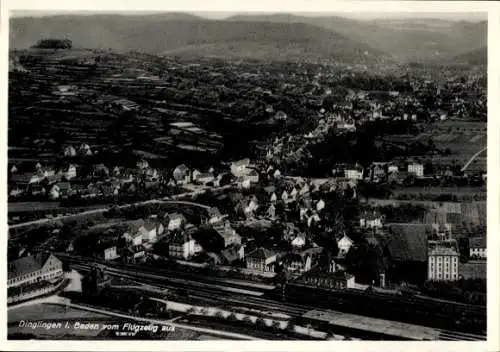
{"x": 33, "y": 269}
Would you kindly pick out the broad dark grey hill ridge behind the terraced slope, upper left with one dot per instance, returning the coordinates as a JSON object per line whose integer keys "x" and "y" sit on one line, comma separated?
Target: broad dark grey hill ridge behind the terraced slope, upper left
{"x": 194, "y": 36}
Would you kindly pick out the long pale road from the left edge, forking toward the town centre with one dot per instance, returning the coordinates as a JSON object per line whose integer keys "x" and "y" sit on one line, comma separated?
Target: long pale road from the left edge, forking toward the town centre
{"x": 169, "y": 200}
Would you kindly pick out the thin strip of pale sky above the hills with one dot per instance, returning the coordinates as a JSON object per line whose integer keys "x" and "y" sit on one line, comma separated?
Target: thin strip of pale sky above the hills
{"x": 455, "y": 16}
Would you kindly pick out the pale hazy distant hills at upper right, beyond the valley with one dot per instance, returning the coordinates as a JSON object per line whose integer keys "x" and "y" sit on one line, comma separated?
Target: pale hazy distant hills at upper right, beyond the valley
{"x": 412, "y": 39}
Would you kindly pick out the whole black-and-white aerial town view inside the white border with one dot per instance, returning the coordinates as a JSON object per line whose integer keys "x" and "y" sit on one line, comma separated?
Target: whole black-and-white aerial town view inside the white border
{"x": 247, "y": 176}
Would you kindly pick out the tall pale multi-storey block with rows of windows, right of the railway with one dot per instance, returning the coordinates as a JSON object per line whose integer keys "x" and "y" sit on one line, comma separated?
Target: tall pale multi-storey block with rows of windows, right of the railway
{"x": 443, "y": 260}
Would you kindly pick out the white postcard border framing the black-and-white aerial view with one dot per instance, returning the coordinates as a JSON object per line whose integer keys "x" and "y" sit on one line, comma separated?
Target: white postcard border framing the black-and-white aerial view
{"x": 332, "y": 6}
